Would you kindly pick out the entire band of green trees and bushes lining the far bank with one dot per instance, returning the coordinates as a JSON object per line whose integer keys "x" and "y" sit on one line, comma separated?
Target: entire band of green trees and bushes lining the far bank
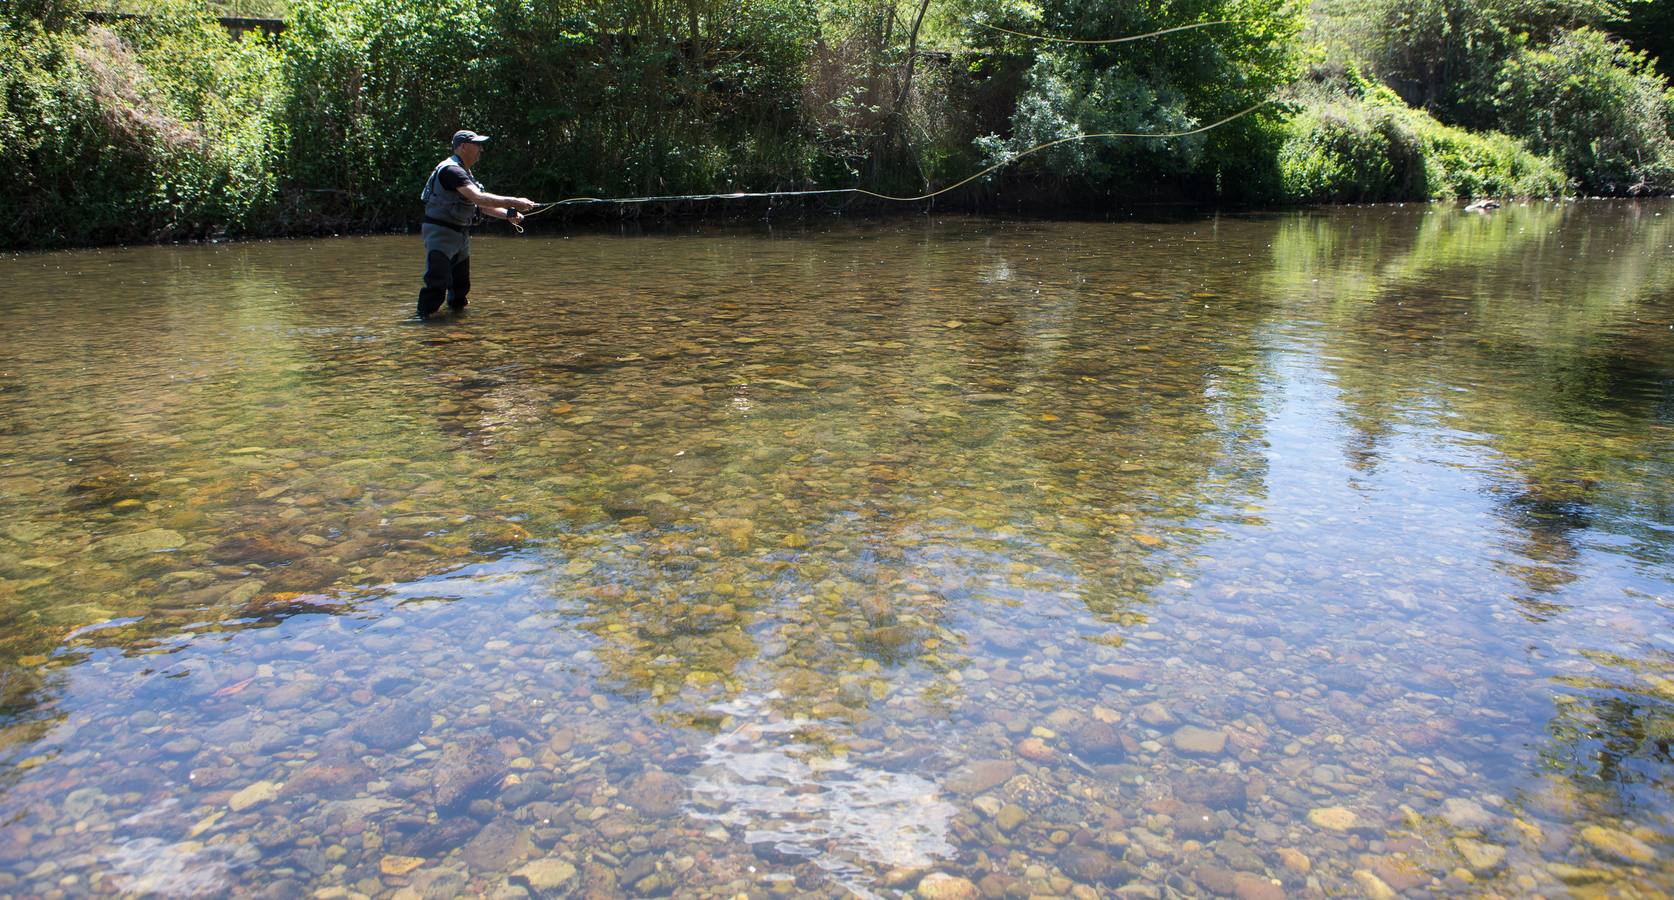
{"x": 162, "y": 126}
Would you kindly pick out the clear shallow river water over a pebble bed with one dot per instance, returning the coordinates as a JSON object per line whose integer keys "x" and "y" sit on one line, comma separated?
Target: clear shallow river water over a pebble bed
{"x": 1266, "y": 556}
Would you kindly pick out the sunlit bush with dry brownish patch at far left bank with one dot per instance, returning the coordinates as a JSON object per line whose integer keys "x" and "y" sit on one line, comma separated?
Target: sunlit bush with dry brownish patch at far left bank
{"x": 138, "y": 133}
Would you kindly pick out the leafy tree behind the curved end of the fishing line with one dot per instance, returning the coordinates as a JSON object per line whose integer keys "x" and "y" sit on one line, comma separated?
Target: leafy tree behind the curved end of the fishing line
{"x": 1164, "y": 84}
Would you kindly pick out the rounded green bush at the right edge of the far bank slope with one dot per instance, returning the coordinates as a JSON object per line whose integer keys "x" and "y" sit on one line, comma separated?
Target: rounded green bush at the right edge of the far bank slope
{"x": 1598, "y": 106}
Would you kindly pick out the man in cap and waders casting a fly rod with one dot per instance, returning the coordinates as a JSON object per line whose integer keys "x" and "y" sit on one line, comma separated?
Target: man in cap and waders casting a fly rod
{"x": 453, "y": 202}
